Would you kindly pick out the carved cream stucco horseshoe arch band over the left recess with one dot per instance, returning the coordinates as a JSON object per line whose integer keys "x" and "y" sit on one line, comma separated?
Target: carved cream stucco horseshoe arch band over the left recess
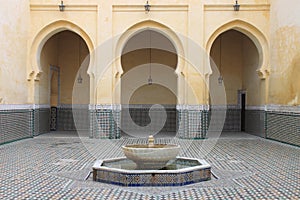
{"x": 34, "y": 66}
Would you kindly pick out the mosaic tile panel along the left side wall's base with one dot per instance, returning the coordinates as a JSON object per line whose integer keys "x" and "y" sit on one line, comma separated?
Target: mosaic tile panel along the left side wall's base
{"x": 15, "y": 125}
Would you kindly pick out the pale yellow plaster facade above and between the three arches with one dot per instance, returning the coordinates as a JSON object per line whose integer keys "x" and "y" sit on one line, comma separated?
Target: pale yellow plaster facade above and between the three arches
{"x": 187, "y": 19}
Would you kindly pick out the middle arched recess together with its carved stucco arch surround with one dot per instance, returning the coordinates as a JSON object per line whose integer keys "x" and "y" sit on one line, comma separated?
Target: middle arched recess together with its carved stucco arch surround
{"x": 134, "y": 52}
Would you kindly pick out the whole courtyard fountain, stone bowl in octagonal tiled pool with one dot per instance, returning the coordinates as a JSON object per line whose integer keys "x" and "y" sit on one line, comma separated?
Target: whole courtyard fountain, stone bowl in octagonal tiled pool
{"x": 151, "y": 165}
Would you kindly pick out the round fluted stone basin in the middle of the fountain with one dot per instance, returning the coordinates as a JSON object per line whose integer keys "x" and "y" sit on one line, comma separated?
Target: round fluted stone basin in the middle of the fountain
{"x": 155, "y": 156}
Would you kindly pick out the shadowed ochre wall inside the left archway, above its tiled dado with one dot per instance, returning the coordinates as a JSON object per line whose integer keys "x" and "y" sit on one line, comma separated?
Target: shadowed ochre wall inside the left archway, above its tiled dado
{"x": 65, "y": 50}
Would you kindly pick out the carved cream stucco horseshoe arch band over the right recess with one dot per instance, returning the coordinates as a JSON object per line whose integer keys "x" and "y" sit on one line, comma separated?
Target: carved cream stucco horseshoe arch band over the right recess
{"x": 256, "y": 36}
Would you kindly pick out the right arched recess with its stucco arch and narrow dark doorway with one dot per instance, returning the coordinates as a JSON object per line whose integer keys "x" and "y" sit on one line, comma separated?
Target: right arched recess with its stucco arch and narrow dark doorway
{"x": 240, "y": 52}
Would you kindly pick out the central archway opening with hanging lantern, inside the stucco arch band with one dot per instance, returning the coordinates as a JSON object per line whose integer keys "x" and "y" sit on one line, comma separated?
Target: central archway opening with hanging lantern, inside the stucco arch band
{"x": 148, "y": 59}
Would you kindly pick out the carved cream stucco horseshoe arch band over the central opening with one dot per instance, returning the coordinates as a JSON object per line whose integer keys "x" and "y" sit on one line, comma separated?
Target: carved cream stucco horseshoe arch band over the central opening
{"x": 154, "y": 26}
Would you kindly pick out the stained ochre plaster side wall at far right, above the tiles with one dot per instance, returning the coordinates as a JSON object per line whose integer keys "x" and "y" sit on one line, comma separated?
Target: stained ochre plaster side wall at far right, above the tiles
{"x": 285, "y": 53}
